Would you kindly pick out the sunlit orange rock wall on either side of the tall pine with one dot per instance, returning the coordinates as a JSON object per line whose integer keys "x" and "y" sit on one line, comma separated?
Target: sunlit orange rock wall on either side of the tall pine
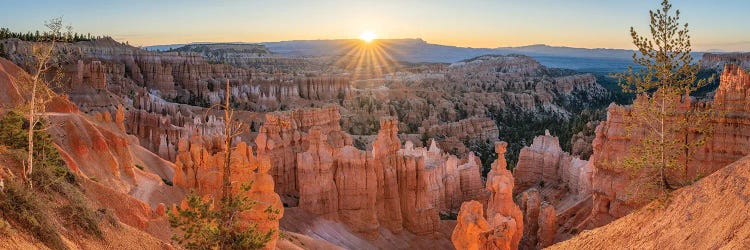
{"x": 729, "y": 143}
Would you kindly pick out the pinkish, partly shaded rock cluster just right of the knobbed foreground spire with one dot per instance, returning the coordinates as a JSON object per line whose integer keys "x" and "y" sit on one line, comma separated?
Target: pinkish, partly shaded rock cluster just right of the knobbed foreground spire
{"x": 553, "y": 187}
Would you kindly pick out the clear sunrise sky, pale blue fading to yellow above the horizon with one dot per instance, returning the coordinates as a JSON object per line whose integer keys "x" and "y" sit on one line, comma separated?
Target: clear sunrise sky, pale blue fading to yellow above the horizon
{"x": 714, "y": 25}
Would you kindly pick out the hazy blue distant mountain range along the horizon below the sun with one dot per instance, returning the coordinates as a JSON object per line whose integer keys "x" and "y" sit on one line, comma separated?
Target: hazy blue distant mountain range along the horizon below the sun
{"x": 418, "y": 51}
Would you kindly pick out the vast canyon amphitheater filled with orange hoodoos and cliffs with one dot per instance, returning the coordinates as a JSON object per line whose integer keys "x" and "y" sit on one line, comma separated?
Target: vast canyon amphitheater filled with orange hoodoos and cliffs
{"x": 388, "y": 162}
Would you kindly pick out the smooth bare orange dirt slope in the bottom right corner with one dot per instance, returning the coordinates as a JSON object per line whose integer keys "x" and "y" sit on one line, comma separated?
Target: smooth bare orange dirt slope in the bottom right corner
{"x": 713, "y": 213}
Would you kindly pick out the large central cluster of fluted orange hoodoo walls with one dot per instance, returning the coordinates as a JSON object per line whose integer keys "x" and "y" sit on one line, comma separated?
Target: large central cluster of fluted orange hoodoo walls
{"x": 318, "y": 170}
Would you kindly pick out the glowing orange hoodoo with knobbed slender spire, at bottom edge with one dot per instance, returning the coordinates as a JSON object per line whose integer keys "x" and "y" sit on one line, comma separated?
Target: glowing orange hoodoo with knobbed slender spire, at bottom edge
{"x": 504, "y": 225}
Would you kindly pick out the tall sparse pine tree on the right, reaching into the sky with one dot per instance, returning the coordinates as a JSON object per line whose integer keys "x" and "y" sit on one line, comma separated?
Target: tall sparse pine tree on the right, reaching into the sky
{"x": 671, "y": 126}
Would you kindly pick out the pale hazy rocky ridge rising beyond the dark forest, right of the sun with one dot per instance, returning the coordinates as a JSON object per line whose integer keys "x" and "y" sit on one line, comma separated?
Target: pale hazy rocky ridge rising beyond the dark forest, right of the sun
{"x": 517, "y": 81}
